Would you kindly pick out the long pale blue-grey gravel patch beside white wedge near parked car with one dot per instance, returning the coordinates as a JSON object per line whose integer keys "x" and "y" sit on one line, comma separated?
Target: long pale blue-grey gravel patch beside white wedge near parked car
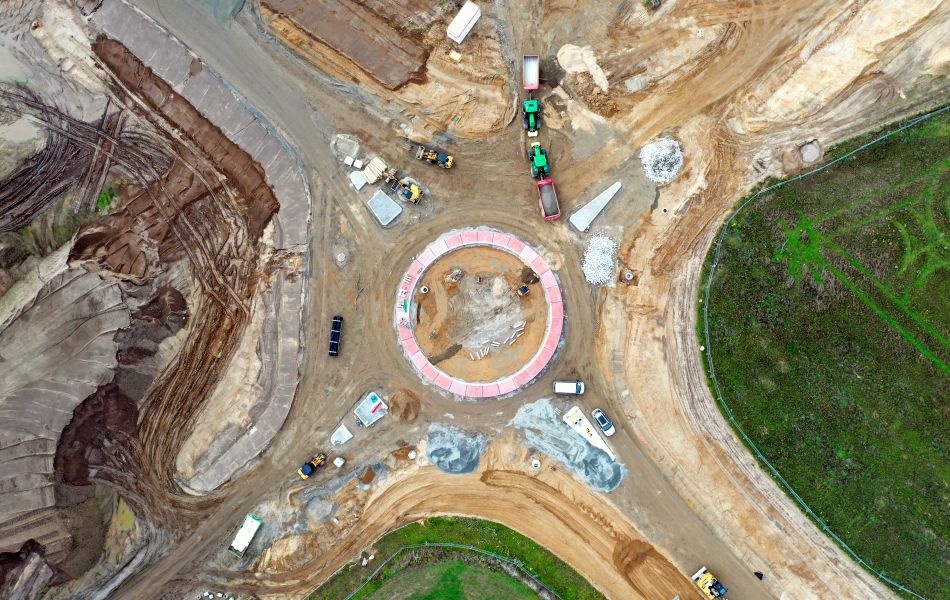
{"x": 544, "y": 430}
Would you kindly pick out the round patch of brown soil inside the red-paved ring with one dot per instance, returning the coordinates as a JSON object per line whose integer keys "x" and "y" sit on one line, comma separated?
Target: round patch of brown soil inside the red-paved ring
{"x": 484, "y": 299}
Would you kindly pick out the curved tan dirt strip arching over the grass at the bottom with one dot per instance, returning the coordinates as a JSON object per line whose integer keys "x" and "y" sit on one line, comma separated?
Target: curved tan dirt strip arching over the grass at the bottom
{"x": 547, "y": 506}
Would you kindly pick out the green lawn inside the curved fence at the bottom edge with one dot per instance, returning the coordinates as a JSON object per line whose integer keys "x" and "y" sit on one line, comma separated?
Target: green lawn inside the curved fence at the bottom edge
{"x": 450, "y": 580}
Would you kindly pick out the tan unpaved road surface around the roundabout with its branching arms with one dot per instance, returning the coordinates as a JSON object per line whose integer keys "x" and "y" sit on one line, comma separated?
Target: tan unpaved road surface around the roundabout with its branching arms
{"x": 693, "y": 496}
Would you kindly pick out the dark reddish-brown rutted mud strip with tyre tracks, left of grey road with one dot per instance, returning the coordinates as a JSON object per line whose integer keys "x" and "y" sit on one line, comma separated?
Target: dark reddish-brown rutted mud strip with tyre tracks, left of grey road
{"x": 213, "y": 205}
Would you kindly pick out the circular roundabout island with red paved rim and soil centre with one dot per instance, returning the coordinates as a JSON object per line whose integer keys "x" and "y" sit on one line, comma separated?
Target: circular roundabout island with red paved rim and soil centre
{"x": 479, "y": 313}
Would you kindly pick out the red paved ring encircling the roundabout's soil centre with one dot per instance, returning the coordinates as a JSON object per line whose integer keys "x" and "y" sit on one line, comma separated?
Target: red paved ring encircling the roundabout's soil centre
{"x": 467, "y": 238}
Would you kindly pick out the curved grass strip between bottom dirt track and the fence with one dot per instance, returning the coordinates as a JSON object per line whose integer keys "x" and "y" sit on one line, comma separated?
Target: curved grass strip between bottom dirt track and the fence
{"x": 484, "y": 535}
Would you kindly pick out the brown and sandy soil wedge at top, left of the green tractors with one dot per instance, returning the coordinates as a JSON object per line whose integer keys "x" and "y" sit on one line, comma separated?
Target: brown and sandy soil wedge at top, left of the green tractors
{"x": 399, "y": 50}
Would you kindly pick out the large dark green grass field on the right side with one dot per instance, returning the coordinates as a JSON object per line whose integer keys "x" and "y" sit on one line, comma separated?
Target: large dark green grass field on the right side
{"x": 829, "y": 322}
